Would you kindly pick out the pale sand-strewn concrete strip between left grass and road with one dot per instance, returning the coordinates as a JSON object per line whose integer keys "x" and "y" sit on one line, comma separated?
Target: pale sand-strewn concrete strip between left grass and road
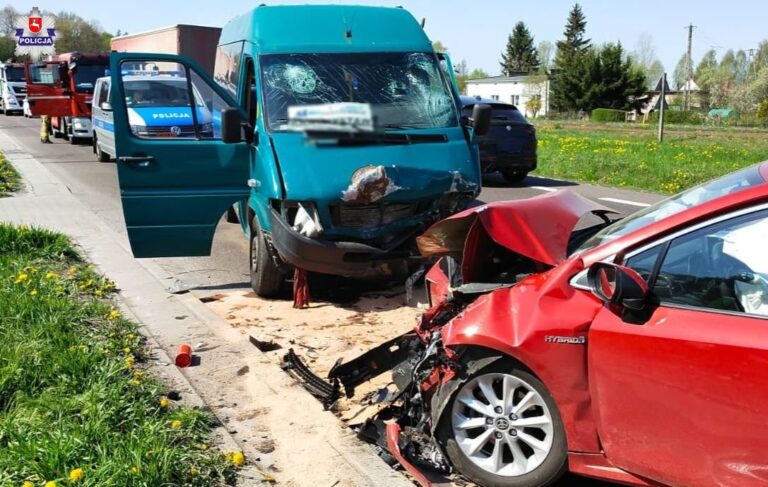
{"x": 226, "y": 355}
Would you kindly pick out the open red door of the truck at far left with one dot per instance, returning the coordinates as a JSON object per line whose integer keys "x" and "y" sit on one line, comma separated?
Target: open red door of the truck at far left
{"x": 48, "y": 88}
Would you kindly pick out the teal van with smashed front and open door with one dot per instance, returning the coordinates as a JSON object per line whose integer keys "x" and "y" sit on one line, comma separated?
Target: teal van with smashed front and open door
{"x": 337, "y": 136}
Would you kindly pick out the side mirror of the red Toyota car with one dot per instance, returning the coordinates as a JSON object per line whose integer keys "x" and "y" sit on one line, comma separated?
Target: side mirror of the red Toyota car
{"x": 618, "y": 285}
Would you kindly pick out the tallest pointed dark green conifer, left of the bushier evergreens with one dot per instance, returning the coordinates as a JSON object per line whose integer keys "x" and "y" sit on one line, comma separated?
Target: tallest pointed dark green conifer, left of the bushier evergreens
{"x": 573, "y": 64}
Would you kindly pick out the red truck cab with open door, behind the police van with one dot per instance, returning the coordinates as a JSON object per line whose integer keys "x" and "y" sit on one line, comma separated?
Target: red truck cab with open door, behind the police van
{"x": 62, "y": 88}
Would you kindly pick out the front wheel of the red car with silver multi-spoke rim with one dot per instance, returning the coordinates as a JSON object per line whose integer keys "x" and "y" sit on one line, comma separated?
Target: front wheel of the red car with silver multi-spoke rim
{"x": 516, "y": 463}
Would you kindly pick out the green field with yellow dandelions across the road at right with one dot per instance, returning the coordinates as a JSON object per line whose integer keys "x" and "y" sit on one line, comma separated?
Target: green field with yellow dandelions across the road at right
{"x": 624, "y": 156}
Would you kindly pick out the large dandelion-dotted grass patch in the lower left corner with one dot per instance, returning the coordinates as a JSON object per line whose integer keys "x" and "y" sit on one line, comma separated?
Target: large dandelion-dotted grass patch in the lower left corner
{"x": 77, "y": 406}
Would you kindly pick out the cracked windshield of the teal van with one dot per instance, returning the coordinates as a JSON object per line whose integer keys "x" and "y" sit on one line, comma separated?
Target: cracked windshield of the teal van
{"x": 405, "y": 90}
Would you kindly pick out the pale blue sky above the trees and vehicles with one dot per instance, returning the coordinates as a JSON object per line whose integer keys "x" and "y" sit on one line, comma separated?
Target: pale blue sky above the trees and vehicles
{"x": 476, "y": 31}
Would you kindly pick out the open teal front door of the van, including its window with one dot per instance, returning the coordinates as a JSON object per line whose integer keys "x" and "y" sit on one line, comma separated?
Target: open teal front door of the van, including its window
{"x": 177, "y": 177}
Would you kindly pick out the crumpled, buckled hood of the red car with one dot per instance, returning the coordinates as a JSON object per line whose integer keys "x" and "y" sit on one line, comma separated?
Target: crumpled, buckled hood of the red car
{"x": 537, "y": 228}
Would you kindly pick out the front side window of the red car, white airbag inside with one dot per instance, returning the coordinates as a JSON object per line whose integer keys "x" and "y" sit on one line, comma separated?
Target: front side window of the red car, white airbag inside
{"x": 720, "y": 267}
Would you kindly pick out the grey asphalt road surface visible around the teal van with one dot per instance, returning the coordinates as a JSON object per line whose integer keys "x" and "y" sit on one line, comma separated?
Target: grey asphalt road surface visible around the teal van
{"x": 95, "y": 184}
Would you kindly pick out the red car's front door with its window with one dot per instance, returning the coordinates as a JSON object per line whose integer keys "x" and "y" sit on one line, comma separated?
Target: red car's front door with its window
{"x": 682, "y": 397}
